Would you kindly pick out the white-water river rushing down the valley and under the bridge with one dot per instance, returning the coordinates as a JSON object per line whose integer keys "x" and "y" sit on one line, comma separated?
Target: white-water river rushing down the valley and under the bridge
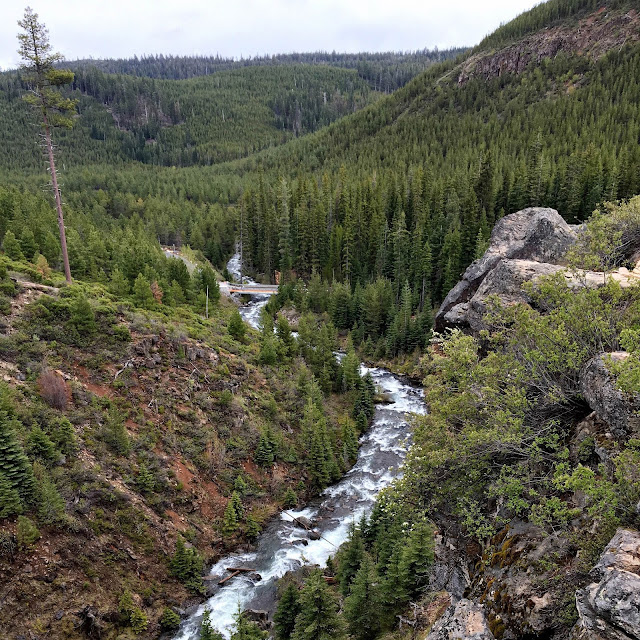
{"x": 283, "y": 545}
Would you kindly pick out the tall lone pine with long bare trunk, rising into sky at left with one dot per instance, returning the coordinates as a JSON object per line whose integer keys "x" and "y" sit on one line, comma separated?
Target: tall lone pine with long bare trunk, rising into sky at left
{"x": 39, "y": 69}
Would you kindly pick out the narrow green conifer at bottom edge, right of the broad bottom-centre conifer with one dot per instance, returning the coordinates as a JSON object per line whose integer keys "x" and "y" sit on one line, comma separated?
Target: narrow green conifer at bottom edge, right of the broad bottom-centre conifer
{"x": 361, "y": 607}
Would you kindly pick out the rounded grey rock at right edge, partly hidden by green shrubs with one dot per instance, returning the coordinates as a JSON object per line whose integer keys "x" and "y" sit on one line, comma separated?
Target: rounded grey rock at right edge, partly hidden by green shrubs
{"x": 617, "y": 409}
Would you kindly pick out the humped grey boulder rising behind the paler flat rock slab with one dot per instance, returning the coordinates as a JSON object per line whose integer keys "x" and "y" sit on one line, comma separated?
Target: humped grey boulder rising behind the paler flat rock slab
{"x": 535, "y": 234}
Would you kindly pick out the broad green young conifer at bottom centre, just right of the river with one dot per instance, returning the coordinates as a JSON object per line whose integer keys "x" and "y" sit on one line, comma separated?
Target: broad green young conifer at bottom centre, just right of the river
{"x": 318, "y": 618}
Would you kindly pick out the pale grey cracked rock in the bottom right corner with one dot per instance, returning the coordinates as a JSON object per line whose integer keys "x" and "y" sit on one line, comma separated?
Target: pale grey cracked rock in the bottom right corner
{"x": 609, "y": 608}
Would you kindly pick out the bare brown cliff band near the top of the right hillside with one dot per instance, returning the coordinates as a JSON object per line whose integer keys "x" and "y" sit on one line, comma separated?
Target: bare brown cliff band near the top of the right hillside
{"x": 594, "y": 36}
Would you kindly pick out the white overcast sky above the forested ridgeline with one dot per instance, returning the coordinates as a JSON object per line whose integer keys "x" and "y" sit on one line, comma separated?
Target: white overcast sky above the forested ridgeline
{"x": 234, "y": 28}
